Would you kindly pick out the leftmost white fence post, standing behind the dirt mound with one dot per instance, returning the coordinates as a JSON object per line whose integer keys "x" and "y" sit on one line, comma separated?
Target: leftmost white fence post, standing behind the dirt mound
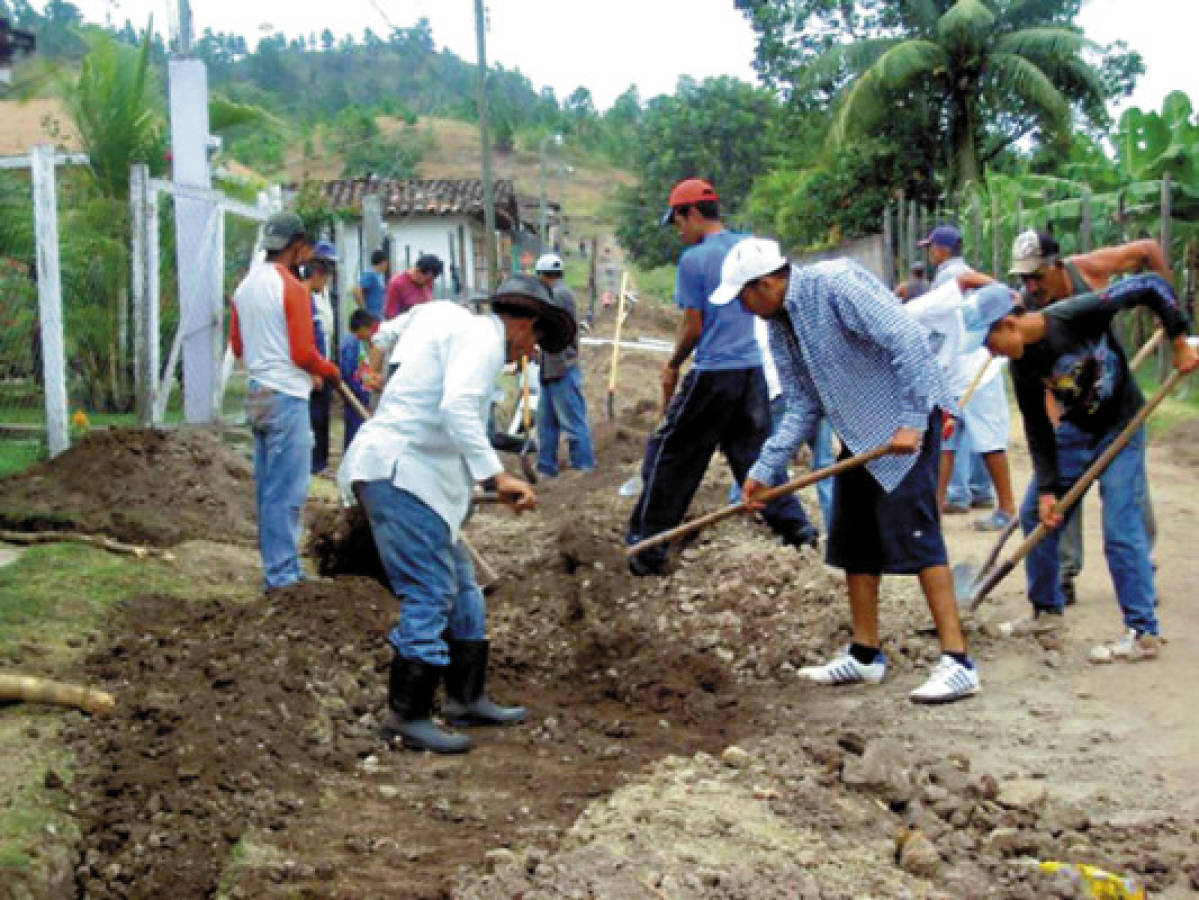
{"x": 50, "y": 299}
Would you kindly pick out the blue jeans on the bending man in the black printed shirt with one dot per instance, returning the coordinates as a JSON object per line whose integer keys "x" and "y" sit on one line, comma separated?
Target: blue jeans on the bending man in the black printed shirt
{"x": 1125, "y": 540}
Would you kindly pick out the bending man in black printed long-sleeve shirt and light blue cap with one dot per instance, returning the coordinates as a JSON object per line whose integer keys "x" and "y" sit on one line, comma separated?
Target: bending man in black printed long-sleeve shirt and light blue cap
{"x": 1069, "y": 348}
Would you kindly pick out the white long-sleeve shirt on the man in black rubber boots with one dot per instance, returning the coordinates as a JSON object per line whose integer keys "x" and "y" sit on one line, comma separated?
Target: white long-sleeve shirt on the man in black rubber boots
{"x": 430, "y": 434}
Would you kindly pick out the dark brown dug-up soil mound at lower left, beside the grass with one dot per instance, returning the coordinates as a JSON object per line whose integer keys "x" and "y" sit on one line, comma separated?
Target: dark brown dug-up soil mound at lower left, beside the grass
{"x": 225, "y": 712}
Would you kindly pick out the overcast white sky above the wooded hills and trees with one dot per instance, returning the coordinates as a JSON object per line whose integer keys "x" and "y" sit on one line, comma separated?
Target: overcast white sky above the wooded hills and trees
{"x": 610, "y": 45}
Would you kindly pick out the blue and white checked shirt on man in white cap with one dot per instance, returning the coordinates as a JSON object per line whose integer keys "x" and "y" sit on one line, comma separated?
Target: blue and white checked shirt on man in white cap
{"x": 847, "y": 349}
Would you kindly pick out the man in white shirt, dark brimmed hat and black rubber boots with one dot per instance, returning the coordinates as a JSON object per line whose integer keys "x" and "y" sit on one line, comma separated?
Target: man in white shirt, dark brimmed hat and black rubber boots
{"x": 413, "y": 467}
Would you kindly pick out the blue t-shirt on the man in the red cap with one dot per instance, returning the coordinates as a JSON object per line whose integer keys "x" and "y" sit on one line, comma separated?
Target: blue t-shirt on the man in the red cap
{"x": 727, "y": 341}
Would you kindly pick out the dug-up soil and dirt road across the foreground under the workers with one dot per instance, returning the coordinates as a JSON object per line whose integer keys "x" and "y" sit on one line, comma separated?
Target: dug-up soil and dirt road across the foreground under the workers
{"x": 244, "y": 756}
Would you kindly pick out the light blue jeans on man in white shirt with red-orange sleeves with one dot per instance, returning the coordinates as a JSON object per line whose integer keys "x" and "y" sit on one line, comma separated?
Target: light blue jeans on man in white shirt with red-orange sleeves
{"x": 284, "y": 444}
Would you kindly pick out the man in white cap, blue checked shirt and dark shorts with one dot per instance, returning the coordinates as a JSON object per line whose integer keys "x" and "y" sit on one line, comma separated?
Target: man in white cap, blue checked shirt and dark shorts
{"x": 846, "y": 348}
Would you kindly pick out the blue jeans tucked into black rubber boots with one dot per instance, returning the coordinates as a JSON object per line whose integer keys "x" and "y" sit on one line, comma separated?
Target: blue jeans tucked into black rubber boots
{"x": 432, "y": 577}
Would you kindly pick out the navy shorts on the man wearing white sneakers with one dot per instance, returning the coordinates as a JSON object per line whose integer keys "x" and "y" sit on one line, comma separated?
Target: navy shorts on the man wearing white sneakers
{"x": 897, "y": 534}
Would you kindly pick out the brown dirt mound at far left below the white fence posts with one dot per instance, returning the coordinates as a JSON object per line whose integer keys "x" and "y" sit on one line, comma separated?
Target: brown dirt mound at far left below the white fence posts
{"x": 144, "y": 487}
